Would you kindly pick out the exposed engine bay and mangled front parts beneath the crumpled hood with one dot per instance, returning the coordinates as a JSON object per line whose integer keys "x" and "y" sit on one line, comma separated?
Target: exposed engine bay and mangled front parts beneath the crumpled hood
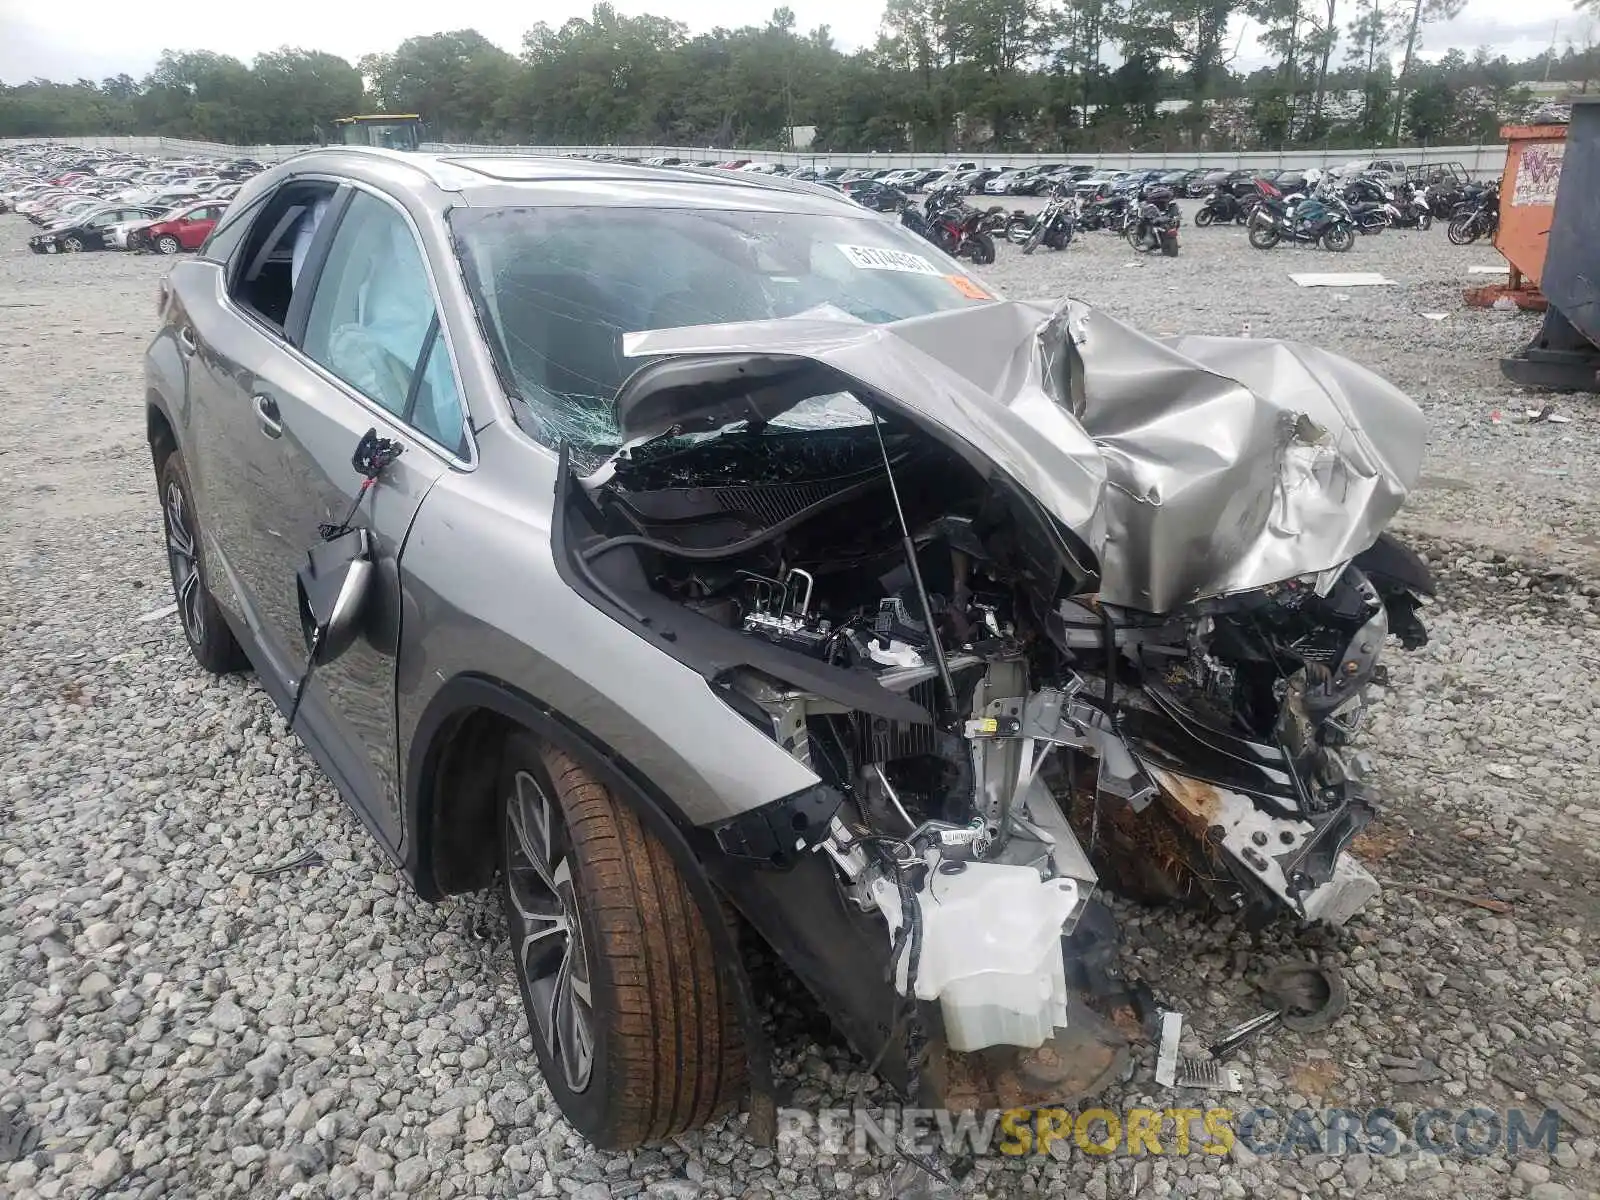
{"x": 994, "y": 738}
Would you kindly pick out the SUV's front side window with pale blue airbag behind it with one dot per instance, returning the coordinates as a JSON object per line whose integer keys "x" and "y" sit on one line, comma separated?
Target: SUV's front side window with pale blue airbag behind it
{"x": 372, "y": 322}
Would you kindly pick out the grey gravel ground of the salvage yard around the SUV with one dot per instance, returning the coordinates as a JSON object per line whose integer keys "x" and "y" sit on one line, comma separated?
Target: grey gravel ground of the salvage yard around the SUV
{"x": 174, "y": 1025}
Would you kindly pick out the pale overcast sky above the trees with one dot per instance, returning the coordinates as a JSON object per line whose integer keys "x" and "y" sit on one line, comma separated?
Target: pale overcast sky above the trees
{"x": 98, "y": 38}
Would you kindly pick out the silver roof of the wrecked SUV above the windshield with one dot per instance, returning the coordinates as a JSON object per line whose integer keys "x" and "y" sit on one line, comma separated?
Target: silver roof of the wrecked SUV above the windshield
{"x": 527, "y": 180}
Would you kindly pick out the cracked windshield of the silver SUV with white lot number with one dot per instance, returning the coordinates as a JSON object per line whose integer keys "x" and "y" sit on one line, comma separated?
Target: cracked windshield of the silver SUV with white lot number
{"x": 558, "y": 289}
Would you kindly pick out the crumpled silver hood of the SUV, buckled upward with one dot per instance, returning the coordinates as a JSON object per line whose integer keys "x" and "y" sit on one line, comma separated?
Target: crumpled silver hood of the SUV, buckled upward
{"x": 1193, "y": 466}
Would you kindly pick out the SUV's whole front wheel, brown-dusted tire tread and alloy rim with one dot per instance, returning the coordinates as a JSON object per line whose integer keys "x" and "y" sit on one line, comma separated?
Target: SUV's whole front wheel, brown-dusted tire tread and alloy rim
{"x": 634, "y": 1026}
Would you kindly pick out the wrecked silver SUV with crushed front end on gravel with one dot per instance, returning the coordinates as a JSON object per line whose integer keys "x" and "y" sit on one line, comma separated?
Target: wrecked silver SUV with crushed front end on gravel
{"x": 686, "y": 554}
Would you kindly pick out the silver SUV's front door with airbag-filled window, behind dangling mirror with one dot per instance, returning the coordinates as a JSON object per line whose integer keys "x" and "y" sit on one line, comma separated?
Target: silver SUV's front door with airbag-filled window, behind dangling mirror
{"x": 367, "y": 353}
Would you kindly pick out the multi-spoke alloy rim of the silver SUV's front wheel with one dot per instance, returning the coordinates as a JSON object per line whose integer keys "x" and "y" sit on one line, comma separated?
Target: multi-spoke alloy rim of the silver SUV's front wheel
{"x": 546, "y": 932}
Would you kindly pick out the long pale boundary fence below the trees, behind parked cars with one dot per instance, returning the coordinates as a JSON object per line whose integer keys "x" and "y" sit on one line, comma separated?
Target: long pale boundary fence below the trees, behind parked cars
{"x": 1481, "y": 161}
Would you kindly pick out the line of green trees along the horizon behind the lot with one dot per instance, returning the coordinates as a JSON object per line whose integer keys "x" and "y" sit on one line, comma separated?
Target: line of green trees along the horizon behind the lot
{"x": 1055, "y": 76}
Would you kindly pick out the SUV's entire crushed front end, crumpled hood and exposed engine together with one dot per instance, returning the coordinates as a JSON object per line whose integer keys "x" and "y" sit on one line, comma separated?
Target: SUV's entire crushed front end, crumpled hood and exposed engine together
{"x": 956, "y": 606}
